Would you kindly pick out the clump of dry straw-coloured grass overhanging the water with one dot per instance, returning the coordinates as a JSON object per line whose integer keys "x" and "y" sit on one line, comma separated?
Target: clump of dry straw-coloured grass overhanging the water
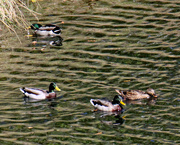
{"x": 11, "y": 14}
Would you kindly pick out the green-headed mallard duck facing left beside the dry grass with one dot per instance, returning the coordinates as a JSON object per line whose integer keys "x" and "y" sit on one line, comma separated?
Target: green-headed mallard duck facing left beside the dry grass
{"x": 47, "y": 30}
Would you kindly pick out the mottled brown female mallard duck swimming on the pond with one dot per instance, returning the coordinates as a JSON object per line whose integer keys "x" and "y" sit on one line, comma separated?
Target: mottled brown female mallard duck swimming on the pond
{"x": 136, "y": 94}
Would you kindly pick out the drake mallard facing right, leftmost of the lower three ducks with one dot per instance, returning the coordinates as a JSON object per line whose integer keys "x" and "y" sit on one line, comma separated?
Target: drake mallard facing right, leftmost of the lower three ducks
{"x": 40, "y": 94}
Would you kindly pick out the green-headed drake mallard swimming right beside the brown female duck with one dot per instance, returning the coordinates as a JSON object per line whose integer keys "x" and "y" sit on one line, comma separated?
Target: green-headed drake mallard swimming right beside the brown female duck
{"x": 104, "y": 105}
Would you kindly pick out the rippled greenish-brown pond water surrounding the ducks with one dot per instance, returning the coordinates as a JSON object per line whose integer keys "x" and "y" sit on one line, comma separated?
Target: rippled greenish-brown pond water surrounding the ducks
{"x": 107, "y": 45}
